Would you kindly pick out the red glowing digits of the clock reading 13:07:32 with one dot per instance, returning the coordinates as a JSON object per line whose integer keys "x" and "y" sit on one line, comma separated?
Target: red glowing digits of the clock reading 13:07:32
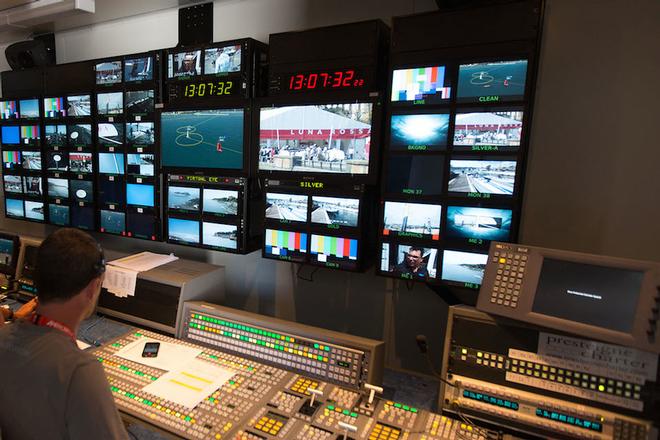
{"x": 325, "y": 80}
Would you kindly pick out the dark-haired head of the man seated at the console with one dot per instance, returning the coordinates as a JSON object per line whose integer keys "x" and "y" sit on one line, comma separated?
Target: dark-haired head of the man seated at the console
{"x": 69, "y": 261}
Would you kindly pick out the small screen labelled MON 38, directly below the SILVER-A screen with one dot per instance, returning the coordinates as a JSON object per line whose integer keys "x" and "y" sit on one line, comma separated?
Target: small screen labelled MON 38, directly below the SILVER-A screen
{"x": 482, "y": 176}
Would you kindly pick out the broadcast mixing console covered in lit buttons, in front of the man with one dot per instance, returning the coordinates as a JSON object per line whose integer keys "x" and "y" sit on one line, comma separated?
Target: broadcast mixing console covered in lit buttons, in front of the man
{"x": 262, "y": 400}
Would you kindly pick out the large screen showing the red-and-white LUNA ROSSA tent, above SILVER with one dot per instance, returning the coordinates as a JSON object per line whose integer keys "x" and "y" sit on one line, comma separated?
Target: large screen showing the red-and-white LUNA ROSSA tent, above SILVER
{"x": 328, "y": 138}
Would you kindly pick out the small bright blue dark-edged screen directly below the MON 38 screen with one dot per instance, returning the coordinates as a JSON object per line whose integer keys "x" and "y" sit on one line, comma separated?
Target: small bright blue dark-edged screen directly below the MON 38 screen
{"x": 472, "y": 223}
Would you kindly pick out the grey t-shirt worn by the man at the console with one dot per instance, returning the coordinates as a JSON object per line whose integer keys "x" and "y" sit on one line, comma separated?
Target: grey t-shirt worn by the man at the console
{"x": 49, "y": 388}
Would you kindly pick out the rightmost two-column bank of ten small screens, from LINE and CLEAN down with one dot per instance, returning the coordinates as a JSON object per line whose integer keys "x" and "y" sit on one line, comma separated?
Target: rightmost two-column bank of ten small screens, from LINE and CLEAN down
{"x": 456, "y": 143}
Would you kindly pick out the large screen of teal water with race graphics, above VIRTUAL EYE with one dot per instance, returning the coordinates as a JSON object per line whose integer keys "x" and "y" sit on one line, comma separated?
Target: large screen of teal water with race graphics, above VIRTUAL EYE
{"x": 203, "y": 139}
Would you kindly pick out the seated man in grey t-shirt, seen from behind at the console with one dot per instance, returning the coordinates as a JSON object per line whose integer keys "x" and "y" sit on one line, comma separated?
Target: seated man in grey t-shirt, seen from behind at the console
{"x": 50, "y": 388}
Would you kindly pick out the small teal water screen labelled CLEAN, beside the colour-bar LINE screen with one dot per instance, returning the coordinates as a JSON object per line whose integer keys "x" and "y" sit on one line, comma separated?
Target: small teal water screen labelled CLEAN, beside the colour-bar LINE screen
{"x": 497, "y": 81}
